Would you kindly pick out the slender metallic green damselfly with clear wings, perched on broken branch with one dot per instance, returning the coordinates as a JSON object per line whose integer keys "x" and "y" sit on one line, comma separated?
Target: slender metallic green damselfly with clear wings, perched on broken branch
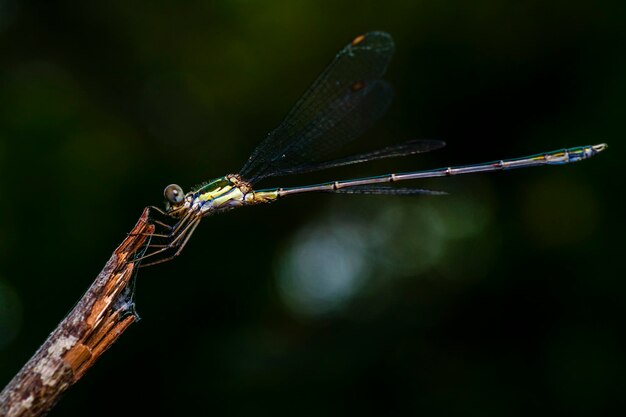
{"x": 343, "y": 102}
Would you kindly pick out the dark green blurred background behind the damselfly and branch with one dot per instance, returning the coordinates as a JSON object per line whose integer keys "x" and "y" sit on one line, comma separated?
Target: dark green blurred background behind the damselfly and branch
{"x": 505, "y": 297}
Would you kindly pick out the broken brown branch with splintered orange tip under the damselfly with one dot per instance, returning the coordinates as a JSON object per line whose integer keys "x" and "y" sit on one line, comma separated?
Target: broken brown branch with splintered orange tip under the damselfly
{"x": 95, "y": 323}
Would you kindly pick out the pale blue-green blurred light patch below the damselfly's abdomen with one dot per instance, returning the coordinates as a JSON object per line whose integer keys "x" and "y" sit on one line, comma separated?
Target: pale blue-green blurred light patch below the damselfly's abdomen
{"x": 355, "y": 249}
